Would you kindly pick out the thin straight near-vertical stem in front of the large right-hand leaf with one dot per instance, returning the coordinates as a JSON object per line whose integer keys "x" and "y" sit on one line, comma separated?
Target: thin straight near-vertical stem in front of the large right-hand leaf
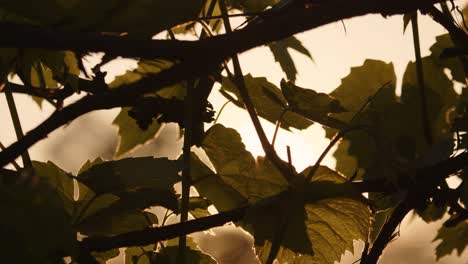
{"x": 420, "y": 76}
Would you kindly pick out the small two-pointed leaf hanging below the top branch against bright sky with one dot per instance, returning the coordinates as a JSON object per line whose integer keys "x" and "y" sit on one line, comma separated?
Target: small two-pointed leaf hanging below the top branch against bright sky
{"x": 282, "y": 56}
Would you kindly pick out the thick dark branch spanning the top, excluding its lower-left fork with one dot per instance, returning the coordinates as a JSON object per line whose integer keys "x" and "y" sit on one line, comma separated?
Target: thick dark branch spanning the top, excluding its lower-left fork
{"x": 271, "y": 28}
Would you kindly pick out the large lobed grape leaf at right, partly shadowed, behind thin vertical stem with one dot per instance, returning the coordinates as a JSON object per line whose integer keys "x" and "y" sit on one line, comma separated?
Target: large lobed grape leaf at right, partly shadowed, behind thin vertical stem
{"x": 395, "y": 123}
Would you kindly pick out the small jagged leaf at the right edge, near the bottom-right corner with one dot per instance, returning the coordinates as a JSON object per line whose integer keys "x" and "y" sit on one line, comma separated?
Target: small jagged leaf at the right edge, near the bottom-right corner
{"x": 452, "y": 238}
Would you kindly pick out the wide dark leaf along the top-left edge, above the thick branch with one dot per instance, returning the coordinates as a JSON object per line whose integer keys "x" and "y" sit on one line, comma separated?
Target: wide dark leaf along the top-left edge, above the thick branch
{"x": 145, "y": 18}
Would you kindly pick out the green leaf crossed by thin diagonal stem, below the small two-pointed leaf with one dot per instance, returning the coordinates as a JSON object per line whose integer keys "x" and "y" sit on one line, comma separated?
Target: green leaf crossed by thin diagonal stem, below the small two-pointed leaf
{"x": 261, "y": 91}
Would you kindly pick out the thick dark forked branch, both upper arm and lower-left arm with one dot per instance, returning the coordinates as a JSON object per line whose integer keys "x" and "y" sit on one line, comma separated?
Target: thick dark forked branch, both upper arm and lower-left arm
{"x": 211, "y": 51}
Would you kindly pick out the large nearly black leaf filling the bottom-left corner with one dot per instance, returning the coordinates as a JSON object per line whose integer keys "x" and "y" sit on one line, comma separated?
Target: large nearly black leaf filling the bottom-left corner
{"x": 29, "y": 215}
